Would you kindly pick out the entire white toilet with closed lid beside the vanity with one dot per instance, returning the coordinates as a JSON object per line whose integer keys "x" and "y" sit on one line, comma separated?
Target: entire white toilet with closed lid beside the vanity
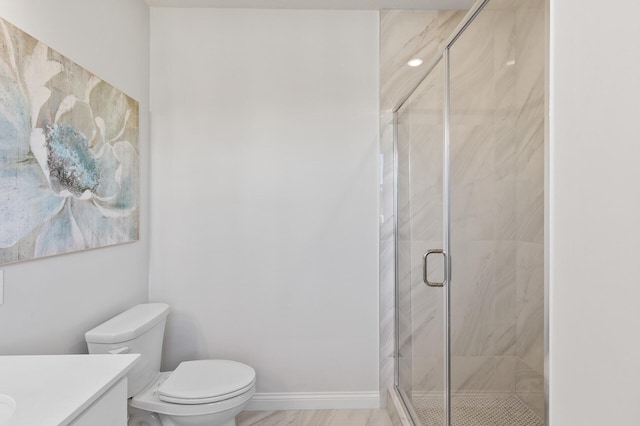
{"x": 197, "y": 393}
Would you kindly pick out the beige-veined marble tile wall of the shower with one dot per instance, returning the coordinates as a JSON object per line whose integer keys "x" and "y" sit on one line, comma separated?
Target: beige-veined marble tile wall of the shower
{"x": 497, "y": 200}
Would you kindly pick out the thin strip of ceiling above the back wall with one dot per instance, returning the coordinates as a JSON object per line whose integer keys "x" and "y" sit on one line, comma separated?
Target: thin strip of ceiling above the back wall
{"x": 319, "y": 4}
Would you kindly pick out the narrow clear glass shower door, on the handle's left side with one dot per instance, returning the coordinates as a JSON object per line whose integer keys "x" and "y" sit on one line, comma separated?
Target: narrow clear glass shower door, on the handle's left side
{"x": 421, "y": 343}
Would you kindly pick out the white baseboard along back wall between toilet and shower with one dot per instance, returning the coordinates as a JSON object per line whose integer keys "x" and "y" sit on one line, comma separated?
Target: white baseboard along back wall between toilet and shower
{"x": 314, "y": 401}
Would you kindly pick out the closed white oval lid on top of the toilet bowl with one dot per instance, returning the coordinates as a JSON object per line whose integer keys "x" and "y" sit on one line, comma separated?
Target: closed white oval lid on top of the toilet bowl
{"x": 201, "y": 382}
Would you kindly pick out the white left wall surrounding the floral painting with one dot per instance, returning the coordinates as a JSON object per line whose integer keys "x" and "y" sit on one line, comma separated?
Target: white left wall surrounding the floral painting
{"x": 50, "y": 303}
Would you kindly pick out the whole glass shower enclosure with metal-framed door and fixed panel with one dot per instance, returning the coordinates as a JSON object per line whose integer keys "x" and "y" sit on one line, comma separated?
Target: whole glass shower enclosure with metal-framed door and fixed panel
{"x": 469, "y": 225}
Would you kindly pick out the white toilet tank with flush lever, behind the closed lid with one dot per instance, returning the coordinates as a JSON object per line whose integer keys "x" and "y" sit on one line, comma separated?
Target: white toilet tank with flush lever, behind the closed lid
{"x": 139, "y": 330}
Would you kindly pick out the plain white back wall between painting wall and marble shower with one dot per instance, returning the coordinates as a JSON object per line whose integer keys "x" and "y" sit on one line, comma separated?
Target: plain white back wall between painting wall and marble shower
{"x": 264, "y": 200}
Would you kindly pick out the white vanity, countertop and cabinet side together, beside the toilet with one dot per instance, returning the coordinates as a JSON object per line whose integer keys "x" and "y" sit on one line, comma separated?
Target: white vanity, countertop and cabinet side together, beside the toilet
{"x": 66, "y": 390}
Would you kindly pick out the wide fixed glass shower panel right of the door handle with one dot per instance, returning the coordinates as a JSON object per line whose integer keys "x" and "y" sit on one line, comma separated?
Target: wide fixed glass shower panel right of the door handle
{"x": 496, "y": 217}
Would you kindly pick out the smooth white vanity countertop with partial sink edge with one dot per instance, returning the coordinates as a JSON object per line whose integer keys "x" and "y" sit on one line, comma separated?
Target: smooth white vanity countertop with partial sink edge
{"x": 54, "y": 389}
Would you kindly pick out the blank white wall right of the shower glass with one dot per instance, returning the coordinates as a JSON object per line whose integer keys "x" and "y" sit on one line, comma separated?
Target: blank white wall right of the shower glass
{"x": 595, "y": 213}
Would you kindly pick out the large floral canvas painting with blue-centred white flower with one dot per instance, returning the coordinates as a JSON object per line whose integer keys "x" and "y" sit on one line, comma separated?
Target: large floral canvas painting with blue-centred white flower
{"x": 68, "y": 154}
